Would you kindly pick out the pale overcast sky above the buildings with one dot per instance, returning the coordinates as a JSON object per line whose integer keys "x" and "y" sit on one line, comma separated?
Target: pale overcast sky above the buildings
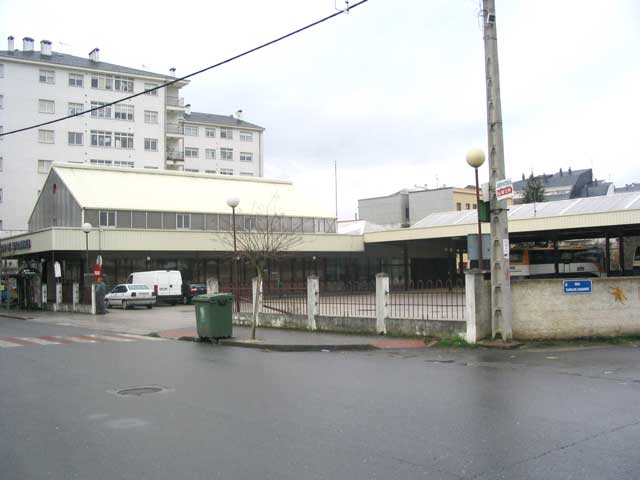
{"x": 394, "y": 91}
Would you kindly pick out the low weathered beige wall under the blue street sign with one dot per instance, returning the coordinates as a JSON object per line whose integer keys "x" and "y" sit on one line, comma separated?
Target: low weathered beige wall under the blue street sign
{"x": 541, "y": 309}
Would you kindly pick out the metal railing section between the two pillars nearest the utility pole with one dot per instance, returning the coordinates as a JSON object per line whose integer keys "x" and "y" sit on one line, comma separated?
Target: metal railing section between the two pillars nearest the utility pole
{"x": 434, "y": 301}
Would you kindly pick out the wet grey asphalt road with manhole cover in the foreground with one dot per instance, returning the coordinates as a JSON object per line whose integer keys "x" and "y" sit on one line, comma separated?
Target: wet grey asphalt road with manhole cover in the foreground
{"x": 237, "y": 413}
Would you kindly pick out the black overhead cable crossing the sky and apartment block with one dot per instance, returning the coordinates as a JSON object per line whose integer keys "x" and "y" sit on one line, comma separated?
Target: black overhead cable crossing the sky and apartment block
{"x": 164, "y": 85}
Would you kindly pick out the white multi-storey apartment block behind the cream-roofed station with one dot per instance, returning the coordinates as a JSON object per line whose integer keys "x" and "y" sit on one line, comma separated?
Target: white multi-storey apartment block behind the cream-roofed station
{"x": 148, "y": 131}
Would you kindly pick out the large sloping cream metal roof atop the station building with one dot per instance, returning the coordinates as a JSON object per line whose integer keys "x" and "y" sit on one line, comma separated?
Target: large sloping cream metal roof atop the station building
{"x": 169, "y": 191}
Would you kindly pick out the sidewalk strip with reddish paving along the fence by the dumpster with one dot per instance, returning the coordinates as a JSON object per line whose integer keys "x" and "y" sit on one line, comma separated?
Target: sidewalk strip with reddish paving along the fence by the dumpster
{"x": 297, "y": 340}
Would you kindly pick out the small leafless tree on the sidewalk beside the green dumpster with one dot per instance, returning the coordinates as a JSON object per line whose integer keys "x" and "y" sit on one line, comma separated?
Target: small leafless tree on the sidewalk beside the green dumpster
{"x": 263, "y": 239}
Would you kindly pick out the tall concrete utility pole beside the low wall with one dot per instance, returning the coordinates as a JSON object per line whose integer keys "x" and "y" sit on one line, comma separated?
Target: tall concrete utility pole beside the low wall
{"x": 500, "y": 275}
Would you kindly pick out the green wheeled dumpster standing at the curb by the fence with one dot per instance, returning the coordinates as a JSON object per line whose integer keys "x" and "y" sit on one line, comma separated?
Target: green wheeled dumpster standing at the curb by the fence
{"x": 213, "y": 314}
